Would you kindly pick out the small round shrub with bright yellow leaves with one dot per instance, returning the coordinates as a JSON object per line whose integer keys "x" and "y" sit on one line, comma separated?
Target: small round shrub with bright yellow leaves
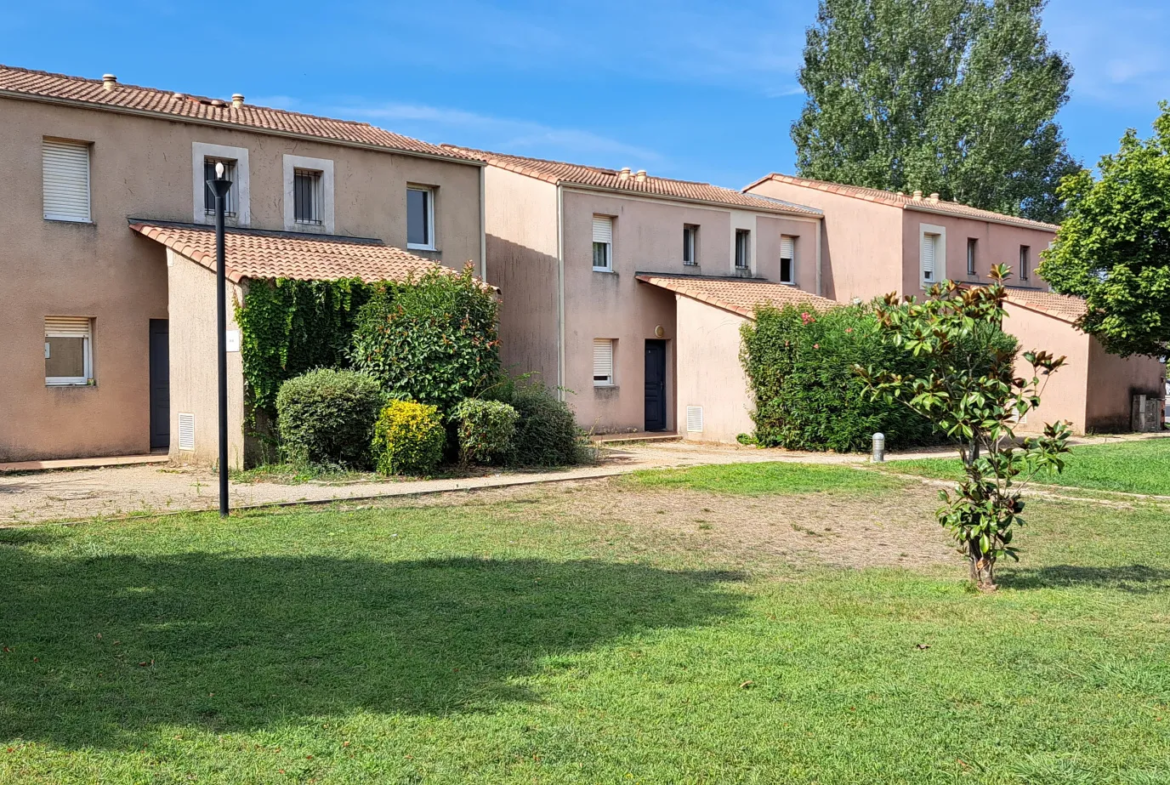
{"x": 409, "y": 438}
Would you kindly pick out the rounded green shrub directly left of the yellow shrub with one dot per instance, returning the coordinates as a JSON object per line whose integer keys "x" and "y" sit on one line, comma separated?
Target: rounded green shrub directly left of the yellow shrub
{"x": 326, "y": 417}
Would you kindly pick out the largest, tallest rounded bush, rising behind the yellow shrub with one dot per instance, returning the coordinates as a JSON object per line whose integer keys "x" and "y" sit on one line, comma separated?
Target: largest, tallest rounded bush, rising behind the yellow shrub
{"x": 432, "y": 340}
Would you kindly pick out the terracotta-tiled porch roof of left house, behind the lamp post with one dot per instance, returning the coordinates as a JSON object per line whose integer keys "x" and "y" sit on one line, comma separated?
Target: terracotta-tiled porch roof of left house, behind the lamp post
{"x": 252, "y": 254}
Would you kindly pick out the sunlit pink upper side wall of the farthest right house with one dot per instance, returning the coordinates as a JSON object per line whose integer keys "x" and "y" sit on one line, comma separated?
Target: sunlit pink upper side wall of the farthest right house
{"x": 862, "y": 253}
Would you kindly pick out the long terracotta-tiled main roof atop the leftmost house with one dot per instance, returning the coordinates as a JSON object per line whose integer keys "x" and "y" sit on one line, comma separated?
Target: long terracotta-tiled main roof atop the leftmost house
{"x": 20, "y": 82}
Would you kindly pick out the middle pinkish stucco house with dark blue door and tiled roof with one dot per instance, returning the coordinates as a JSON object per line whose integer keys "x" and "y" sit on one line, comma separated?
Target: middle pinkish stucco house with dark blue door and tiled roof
{"x": 584, "y": 259}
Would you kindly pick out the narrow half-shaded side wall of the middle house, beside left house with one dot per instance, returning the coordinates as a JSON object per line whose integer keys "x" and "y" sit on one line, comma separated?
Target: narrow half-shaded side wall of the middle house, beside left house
{"x": 521, "y": 218}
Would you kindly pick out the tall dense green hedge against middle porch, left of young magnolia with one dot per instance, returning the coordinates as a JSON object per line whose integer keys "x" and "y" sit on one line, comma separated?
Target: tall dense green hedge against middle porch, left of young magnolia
{"x": 800, "y": 364}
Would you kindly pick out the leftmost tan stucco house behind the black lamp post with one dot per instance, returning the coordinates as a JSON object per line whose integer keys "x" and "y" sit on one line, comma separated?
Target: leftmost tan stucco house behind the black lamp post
{"x": 86, "y": 160}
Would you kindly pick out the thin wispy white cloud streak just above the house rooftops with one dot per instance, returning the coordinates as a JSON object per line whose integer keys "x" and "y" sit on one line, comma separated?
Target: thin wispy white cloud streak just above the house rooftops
{"x": 519, "y": 136}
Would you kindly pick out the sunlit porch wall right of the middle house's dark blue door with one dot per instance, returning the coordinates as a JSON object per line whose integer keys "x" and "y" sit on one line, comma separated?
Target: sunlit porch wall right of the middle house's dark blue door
{"x": 710, "y": 373}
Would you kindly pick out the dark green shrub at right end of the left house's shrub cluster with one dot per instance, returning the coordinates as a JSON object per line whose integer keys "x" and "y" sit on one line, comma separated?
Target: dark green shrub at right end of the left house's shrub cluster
{"x": 547, "y": 433}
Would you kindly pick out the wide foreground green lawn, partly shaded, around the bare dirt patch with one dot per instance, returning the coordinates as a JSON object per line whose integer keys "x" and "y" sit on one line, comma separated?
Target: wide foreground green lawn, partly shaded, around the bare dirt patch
{"x": 492, "y": 643}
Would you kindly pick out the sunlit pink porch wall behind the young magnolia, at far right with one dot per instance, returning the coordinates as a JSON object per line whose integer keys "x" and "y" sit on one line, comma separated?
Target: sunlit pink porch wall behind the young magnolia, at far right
{"x": 1066, "y": 392}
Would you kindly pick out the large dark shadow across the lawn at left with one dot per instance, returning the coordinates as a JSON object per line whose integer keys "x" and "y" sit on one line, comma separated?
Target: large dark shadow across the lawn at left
{"x": 108, "y": 650}
